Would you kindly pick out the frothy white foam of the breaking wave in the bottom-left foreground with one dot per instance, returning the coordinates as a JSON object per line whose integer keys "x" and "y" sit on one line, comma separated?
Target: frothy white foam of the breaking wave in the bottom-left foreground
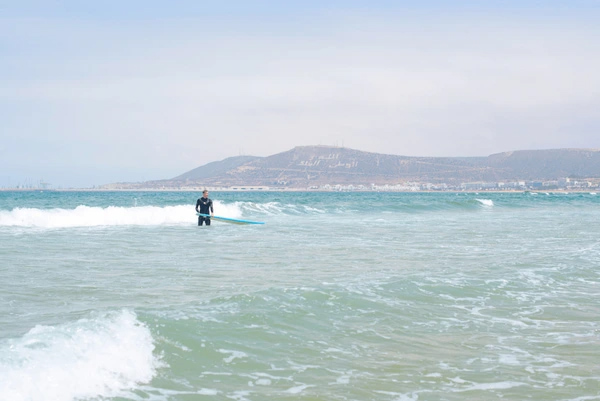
{"x": 103, "y": 356}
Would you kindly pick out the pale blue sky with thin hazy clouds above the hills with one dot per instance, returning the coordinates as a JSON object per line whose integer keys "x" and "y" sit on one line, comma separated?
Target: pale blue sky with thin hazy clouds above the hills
{"x": 125, "y": 91}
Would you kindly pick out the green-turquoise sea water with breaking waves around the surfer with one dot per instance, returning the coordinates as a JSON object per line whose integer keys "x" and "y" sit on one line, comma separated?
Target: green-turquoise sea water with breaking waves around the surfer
{"x": 339, "y": 296}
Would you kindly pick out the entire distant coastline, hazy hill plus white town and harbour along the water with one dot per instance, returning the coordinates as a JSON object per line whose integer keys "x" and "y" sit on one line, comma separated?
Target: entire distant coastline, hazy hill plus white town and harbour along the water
{"x": 339, "y": 169}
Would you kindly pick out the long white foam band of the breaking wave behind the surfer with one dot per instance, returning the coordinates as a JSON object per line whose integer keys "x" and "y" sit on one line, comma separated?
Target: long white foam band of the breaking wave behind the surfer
{"x": 87, "y": 216}
